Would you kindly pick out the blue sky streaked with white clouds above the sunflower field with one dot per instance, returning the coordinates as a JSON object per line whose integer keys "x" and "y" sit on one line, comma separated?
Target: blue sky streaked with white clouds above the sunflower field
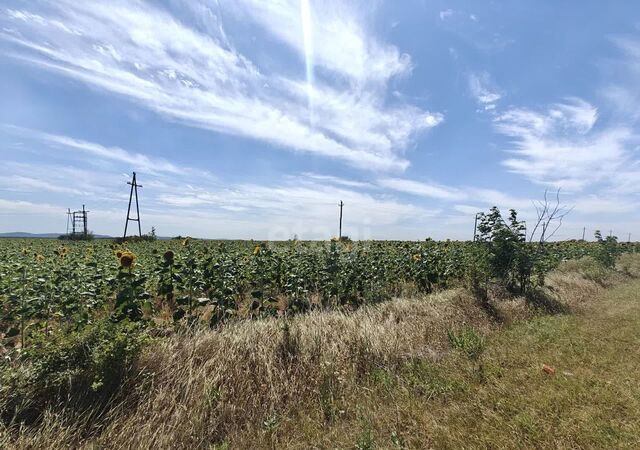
{"x": 253, "y": 119}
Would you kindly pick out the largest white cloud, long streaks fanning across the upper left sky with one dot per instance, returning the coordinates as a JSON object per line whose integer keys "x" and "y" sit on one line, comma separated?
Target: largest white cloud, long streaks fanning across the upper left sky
{"x": 144, "y": 53}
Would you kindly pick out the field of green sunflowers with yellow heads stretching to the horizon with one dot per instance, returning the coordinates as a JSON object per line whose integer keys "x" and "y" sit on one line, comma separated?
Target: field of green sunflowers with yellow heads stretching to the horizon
{"x": 48, "y": 287}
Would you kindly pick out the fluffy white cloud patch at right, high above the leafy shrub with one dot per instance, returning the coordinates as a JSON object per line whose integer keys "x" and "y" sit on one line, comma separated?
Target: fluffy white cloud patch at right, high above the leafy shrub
{"x": 559, "y": 147}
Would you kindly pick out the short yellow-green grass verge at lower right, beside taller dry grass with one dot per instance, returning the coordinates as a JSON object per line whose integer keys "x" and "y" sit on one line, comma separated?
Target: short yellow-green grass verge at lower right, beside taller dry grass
{"x": 505, "y": 399}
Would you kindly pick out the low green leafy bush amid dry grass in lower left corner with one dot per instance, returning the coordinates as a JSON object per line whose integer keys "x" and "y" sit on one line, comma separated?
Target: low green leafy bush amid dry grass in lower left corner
{"x": 76, "y": 370}
